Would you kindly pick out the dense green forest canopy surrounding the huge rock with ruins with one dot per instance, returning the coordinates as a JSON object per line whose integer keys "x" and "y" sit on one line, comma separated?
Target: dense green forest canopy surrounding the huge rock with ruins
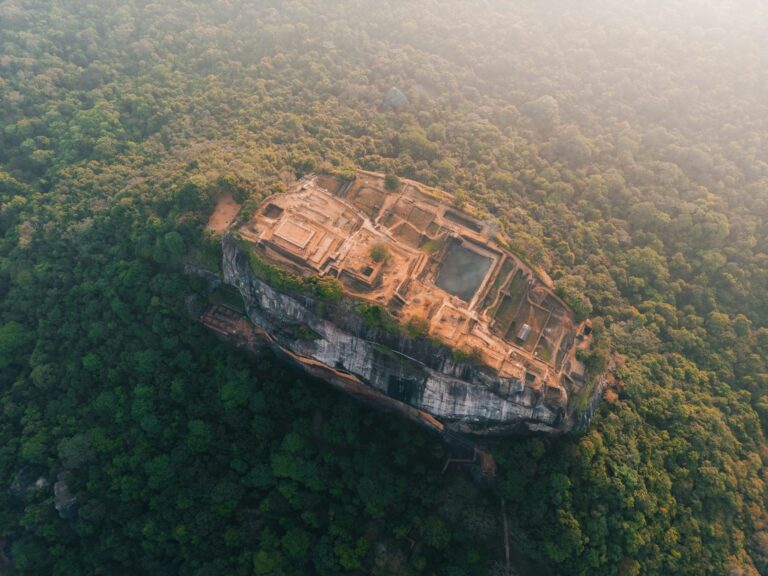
{"x": 623, "y": 146}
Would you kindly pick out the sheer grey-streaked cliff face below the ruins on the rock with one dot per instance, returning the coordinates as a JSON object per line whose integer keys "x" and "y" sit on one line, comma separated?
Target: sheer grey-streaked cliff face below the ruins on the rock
{"x": 415, "y": 376}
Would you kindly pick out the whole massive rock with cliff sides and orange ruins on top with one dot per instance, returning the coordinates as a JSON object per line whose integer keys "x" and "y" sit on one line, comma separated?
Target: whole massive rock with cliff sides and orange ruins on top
{"x": 386, "y": 290}
